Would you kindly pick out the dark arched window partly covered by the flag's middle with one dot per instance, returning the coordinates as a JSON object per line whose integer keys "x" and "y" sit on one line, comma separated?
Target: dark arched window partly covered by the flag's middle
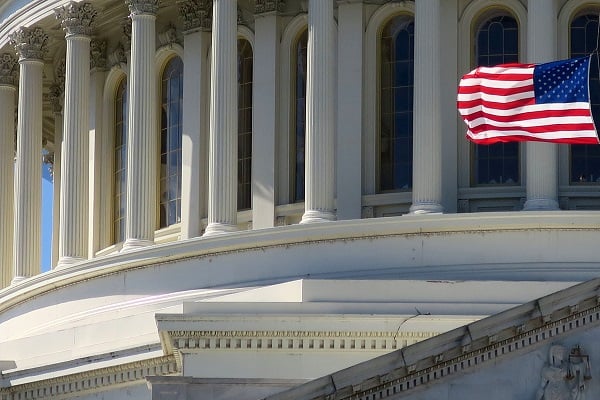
{"x": 497, "y": 42}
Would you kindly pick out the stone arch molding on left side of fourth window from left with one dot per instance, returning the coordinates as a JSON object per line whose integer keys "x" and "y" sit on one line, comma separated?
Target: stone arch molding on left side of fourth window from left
{"x": 288, "y": 39}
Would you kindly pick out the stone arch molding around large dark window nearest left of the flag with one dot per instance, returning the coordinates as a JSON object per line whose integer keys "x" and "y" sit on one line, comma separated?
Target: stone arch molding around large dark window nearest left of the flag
{"x": 370, "y": 126}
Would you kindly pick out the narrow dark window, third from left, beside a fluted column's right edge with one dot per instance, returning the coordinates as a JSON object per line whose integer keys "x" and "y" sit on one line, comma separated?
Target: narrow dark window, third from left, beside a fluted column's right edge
{"x": 244, "y": 200}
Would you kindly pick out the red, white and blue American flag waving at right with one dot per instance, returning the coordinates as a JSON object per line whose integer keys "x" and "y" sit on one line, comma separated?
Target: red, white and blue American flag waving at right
{"x": 528, "y": 102}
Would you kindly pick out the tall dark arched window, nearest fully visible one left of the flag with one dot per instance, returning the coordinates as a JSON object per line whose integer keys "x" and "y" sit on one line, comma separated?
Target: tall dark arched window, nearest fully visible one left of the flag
{"x": 396, "y": 75}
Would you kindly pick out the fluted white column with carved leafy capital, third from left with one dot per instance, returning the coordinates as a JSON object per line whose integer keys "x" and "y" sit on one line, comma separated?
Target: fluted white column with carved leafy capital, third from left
{"x": 76, "y": 20}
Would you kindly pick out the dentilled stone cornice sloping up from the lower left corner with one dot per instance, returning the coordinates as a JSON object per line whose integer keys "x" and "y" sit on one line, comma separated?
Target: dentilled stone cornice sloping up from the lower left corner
{"x": 89, "y": 381}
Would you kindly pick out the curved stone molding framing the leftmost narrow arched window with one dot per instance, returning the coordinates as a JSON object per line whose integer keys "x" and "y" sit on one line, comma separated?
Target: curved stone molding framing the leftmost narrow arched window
{"x": 111, "y": 84}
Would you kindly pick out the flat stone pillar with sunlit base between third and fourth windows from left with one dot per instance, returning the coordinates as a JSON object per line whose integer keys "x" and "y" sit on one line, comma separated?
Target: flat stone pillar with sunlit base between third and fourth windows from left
{"x": 265, "y": 107}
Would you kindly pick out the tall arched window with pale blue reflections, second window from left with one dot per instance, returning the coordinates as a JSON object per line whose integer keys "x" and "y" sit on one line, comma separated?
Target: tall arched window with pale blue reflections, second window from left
{"x": 170, "y": 142}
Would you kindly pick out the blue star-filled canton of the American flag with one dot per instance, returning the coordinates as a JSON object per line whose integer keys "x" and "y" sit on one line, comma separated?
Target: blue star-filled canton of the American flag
{"x": 564, "y": 81}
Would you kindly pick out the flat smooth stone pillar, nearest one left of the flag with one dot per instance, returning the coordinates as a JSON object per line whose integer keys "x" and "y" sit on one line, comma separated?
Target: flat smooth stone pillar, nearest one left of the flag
{"x": 350, "y": 110}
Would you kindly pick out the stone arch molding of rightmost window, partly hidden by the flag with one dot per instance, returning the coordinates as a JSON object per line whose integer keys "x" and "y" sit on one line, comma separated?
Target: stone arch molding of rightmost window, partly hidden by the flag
{"x": 567, "y": 13}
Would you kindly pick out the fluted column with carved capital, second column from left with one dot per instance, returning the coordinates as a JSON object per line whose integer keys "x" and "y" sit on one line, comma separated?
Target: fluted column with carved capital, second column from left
{"x": 30, "y": 44}
